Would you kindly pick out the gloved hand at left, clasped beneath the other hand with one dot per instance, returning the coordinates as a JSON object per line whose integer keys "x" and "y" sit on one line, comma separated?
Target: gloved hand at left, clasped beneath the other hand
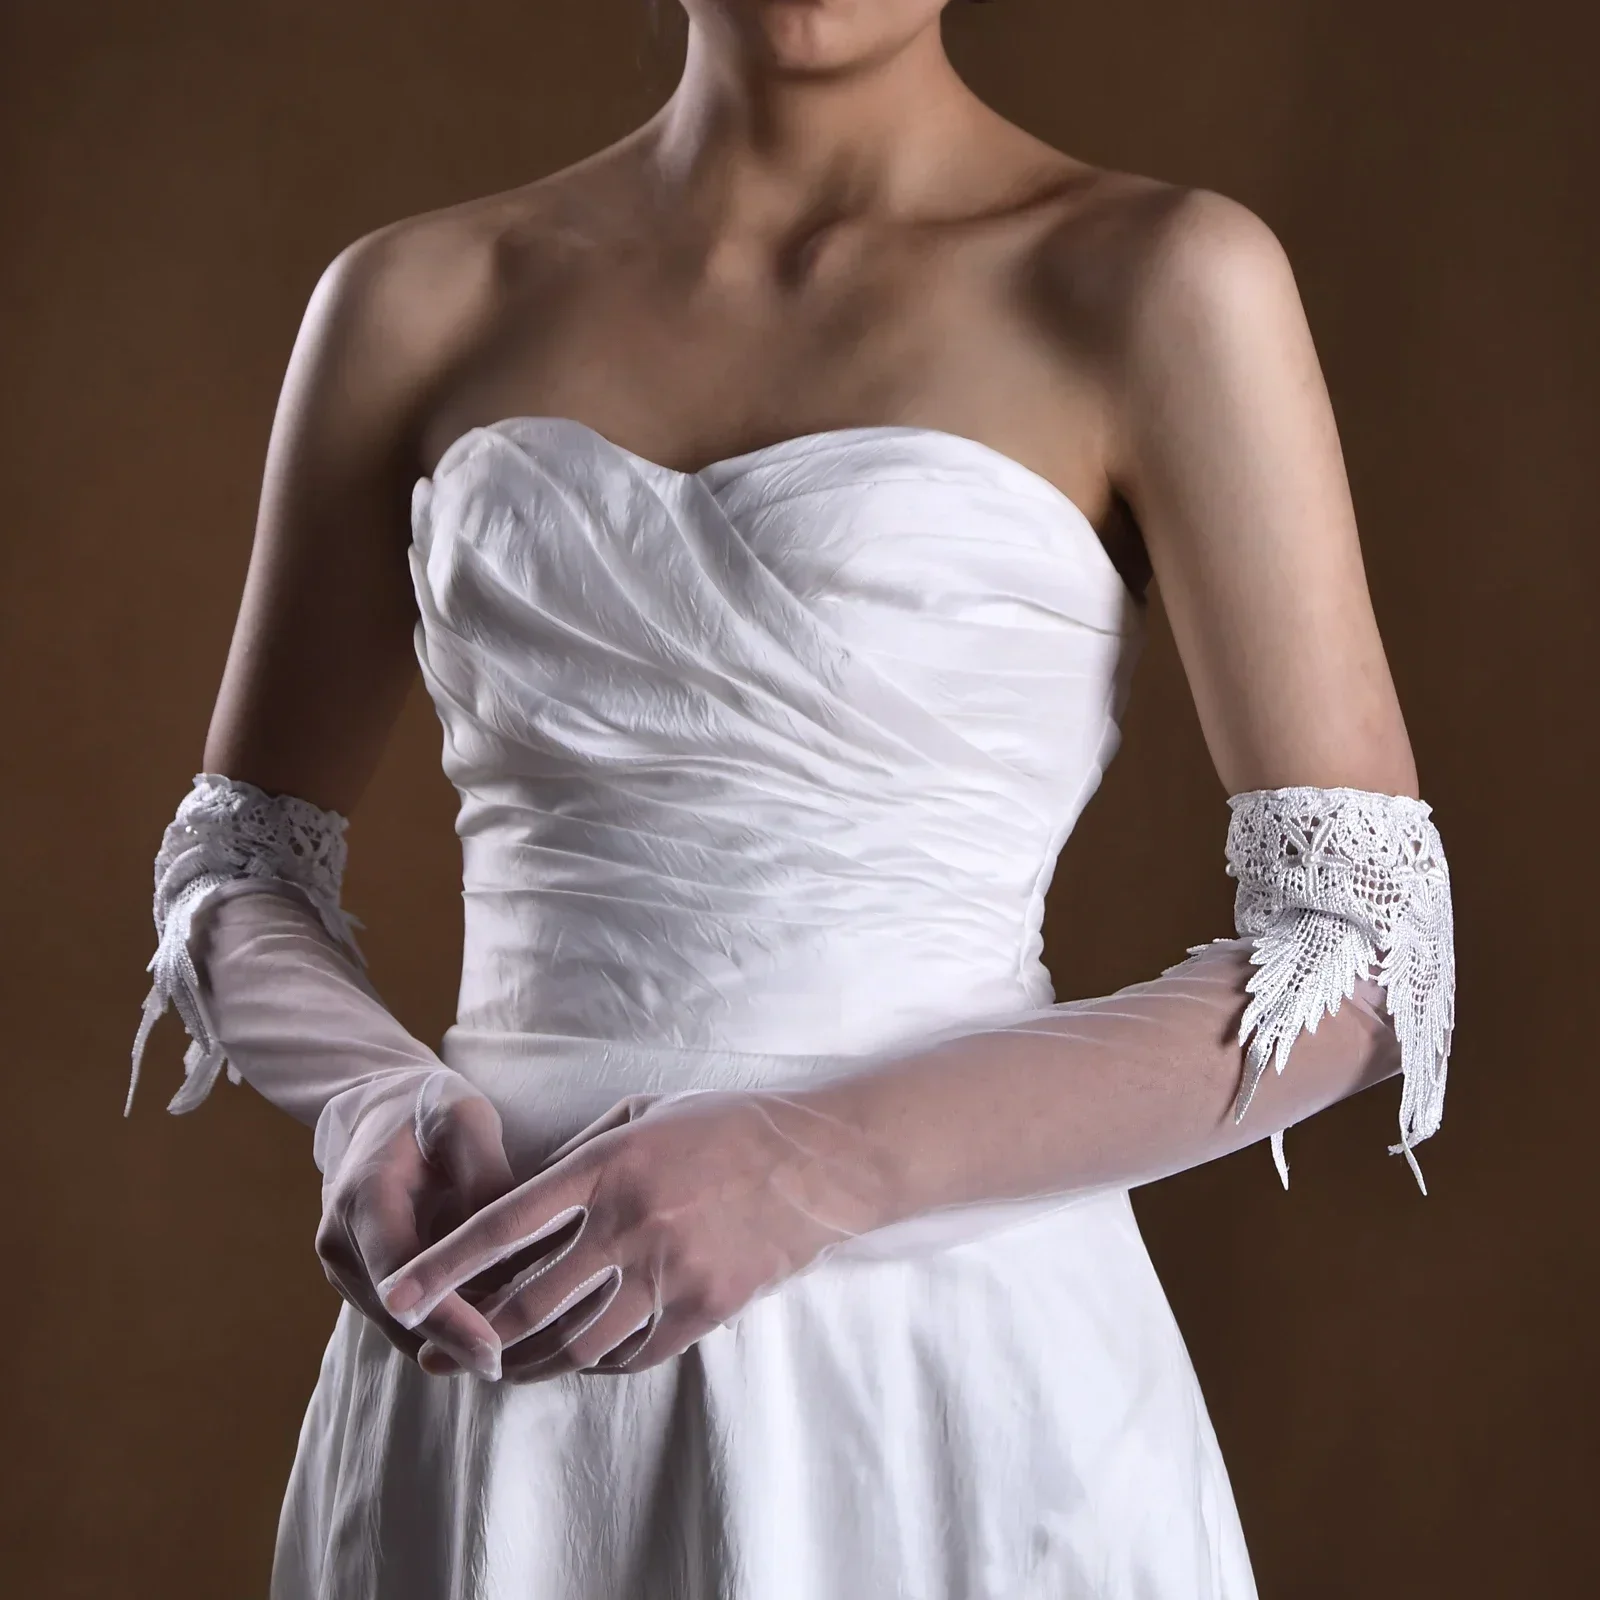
{"x": 406, "y": 1161}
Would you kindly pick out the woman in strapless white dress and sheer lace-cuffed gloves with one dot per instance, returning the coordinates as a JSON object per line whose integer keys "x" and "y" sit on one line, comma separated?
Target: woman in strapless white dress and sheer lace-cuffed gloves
{"x": 783, "y": 486}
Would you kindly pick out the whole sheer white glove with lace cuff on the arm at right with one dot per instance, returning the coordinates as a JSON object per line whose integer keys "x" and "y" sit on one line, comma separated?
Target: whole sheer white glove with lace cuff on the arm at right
{"x": 671, "y": 1214}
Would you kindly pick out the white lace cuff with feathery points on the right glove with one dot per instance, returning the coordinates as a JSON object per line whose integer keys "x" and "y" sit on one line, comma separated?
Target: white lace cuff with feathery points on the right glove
{"x": 1337, "y": 886}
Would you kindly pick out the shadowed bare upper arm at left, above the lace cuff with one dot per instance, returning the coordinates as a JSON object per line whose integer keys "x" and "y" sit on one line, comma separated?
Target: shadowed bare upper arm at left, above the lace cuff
{"x": 322, "y": 654}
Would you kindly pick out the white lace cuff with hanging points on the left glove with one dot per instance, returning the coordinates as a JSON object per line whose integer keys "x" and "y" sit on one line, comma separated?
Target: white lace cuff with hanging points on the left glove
{"x": 226, "y": 833}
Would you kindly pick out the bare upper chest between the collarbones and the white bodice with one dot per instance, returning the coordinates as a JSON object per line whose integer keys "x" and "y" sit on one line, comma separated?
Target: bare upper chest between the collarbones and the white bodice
{"x": 692, "y": 361}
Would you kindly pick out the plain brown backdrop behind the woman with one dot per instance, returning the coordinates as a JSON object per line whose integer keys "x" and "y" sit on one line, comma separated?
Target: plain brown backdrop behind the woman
{"x": 1404, "y": 1388}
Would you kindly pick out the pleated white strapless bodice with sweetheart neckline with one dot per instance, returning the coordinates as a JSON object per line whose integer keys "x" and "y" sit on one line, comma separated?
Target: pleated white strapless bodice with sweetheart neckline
{"x": 777, "y": 756}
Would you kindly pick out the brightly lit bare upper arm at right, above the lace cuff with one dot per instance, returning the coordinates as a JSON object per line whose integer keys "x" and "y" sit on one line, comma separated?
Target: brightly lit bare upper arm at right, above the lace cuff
{"x": 1230, "y": 457}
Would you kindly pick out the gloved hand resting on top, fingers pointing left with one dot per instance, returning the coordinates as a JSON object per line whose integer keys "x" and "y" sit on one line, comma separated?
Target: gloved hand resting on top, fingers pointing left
{"x": 655, "y": 1225}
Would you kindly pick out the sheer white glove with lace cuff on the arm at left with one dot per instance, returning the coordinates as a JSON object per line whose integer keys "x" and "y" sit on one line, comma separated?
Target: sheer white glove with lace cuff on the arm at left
{"x": 262, "y": 962}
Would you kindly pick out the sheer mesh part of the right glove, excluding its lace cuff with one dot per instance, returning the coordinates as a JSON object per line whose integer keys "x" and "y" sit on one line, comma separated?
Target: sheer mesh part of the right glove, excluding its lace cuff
{"x": 671, "y": 1214}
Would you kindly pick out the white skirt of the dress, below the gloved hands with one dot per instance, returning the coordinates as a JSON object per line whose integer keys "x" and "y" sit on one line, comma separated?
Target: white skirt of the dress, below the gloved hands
{"x": 1014, "y": 1418}
